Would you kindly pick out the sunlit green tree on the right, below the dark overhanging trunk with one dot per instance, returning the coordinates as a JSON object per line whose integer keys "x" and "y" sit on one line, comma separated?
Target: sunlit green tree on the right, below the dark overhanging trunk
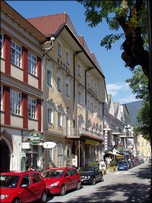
{"x": 139, "y": 86}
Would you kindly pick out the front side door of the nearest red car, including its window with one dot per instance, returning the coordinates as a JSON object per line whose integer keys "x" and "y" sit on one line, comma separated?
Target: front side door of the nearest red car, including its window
{"x": 26, "y": 193}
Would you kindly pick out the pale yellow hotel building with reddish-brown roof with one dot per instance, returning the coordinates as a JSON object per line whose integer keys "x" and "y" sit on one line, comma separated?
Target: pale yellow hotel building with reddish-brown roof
{"x": 73, "y": 94}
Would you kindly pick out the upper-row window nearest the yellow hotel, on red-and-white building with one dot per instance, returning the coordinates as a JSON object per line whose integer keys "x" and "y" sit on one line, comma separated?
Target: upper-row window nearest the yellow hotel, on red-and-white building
{"x": 32, "y": 64}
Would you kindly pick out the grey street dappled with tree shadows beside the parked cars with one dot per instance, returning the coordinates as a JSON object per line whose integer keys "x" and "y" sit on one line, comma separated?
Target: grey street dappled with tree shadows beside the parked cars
{"x": 120, "y": 186}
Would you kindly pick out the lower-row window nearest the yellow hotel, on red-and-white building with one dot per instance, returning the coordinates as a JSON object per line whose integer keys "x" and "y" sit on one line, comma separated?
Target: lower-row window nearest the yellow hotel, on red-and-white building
{"x": 32, "y": 107}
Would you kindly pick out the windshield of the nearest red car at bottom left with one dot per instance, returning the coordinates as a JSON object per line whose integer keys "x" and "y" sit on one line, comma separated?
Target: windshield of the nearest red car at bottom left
{"x": 9, "y": 181}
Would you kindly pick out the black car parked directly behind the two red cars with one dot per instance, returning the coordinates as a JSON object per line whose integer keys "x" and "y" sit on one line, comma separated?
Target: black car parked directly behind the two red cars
{"x": 90, "y": 175}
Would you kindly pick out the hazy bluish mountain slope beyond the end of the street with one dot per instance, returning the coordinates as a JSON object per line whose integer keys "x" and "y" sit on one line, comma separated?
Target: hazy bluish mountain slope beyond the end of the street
{"x": 133, "y": 108}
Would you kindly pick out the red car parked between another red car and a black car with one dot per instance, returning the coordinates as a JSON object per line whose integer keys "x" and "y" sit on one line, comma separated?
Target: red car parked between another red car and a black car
{"x": 61, "y": 180}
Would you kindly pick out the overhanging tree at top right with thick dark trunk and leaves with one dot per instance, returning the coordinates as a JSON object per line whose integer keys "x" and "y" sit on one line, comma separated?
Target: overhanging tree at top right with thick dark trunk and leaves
{"x": 131, "y": 18}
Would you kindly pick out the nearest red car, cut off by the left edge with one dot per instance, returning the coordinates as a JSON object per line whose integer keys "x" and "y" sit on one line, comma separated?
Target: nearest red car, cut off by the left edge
{"x": 18, "y": 187}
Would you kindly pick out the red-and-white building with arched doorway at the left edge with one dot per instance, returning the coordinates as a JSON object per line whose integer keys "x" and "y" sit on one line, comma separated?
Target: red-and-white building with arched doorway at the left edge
{"x": 21, "y": 89}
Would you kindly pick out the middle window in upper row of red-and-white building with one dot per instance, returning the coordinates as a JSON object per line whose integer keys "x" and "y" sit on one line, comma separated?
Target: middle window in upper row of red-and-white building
{"x": 16, "y": 54}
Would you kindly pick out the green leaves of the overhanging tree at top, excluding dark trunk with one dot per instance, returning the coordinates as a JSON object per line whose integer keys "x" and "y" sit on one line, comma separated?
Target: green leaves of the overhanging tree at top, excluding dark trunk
{"x": 111, "y": 11}
